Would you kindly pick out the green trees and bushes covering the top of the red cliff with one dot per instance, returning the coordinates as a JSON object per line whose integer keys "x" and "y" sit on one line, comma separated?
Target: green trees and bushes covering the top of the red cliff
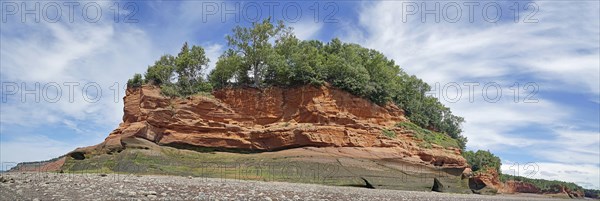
{"x": 267, "y": 54}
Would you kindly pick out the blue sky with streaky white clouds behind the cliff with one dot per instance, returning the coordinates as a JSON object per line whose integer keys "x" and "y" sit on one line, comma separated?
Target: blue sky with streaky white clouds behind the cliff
{"x": 552, "y": 50}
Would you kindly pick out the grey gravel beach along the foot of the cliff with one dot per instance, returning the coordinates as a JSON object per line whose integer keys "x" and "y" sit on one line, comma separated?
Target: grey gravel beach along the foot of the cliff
{"x": 57, "y": 186}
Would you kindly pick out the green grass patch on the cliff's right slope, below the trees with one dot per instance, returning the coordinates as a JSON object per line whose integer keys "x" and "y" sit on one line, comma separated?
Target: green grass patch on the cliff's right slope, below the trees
{"x": 429, "y": 137}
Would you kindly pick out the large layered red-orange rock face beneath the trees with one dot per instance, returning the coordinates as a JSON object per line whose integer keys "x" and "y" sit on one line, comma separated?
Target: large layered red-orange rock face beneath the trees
{"x": 271, "y": 119}
